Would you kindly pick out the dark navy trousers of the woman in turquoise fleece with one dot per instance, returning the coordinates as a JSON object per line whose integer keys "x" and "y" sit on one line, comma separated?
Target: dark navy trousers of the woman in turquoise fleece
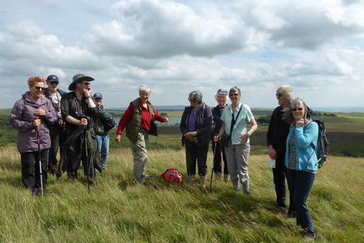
{"x": 300, "y": 184}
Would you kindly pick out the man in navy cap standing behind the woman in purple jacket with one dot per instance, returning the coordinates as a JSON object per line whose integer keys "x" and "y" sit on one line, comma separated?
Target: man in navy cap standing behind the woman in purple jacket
{"x": 54, "y": 94}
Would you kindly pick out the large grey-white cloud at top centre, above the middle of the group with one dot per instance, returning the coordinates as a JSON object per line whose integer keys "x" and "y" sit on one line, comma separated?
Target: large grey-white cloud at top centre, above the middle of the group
{"x": 159, "y": 29}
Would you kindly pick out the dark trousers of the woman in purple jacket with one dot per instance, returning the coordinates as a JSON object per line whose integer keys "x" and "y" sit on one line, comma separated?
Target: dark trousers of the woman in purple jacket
{"x": 30, "y": 171}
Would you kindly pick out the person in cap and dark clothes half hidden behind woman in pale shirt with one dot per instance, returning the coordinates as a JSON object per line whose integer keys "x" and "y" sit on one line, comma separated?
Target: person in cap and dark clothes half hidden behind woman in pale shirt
{"x": 218, "y": 148}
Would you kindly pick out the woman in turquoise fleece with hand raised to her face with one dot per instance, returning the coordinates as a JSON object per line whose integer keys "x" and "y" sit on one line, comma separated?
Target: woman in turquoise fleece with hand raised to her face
{"x": 301, "y": 161}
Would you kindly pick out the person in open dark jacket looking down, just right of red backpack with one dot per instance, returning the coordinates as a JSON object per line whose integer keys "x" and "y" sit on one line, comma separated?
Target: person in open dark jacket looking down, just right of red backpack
{"x": 195, "y": 126}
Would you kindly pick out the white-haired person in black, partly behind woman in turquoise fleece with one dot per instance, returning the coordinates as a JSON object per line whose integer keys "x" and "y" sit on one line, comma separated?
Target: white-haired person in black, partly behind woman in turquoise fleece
{"x": 276, "y": 142}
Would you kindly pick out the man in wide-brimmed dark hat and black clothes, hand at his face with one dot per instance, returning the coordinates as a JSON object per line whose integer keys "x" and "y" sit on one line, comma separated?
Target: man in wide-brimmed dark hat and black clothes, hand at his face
{"x": 78, "y": 112}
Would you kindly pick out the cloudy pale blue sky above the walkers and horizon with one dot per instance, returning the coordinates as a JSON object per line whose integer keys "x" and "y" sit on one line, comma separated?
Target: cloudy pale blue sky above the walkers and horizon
{"x": 175, "y": 47}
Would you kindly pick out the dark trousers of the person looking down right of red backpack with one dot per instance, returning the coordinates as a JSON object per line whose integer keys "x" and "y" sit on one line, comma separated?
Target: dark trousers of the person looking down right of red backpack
{"x": 196, "y": 154}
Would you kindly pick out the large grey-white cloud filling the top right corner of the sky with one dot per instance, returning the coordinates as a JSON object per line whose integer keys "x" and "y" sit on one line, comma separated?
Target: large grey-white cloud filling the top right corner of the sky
{"x": 303, "y": 24}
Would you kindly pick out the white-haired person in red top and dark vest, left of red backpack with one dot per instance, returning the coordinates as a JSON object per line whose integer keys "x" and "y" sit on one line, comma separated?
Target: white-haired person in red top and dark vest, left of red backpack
{"x": 138, "y": 120}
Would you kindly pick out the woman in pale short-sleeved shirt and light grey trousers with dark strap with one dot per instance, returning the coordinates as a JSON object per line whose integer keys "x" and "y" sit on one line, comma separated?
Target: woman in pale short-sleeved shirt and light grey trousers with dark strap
{"x": 239, "y": 125}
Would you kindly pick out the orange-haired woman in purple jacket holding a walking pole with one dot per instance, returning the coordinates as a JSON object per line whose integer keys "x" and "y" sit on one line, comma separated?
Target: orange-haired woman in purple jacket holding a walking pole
{"x": 30, "y": 116}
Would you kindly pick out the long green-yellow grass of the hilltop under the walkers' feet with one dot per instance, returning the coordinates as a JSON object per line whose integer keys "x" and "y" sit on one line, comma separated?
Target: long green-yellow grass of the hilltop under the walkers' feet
{"x": 117, "y": 211}
